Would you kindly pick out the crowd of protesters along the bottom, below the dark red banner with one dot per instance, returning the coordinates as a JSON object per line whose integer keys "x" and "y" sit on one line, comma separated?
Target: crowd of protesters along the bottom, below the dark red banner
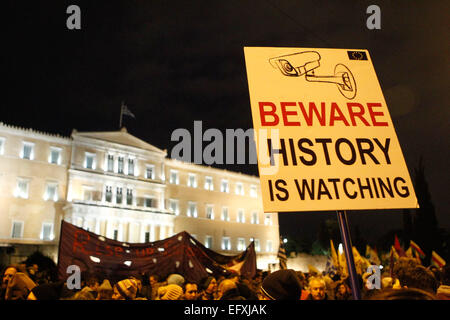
{"x": 409, "y": 281}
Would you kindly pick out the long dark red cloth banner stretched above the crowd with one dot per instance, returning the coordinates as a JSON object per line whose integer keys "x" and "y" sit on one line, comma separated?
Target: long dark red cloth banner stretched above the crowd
{"x": 116, "y": 260}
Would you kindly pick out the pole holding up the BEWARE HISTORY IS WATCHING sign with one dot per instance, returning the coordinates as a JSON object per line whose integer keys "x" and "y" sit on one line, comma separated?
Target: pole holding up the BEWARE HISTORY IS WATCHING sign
{"x": 347, "y": 241}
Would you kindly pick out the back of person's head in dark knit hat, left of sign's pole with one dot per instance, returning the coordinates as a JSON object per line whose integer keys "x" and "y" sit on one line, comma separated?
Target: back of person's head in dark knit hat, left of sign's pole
{"x": 281, "y": 285}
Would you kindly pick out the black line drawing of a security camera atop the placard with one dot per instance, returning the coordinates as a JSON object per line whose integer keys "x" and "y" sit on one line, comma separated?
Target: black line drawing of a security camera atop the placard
{"x": 305, "y": 63}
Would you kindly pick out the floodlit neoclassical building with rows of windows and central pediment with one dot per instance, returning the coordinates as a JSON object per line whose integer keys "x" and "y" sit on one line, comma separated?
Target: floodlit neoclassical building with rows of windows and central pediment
{"x": 123, "y": 188}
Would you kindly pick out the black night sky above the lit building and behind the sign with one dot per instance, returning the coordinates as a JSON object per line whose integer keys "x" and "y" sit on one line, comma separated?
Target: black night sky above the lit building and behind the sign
{"x": 174, "y": 62}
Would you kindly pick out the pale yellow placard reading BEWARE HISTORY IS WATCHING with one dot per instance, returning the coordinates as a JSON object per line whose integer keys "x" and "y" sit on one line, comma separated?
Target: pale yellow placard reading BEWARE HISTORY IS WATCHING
{"x": 324, "y": 136}
